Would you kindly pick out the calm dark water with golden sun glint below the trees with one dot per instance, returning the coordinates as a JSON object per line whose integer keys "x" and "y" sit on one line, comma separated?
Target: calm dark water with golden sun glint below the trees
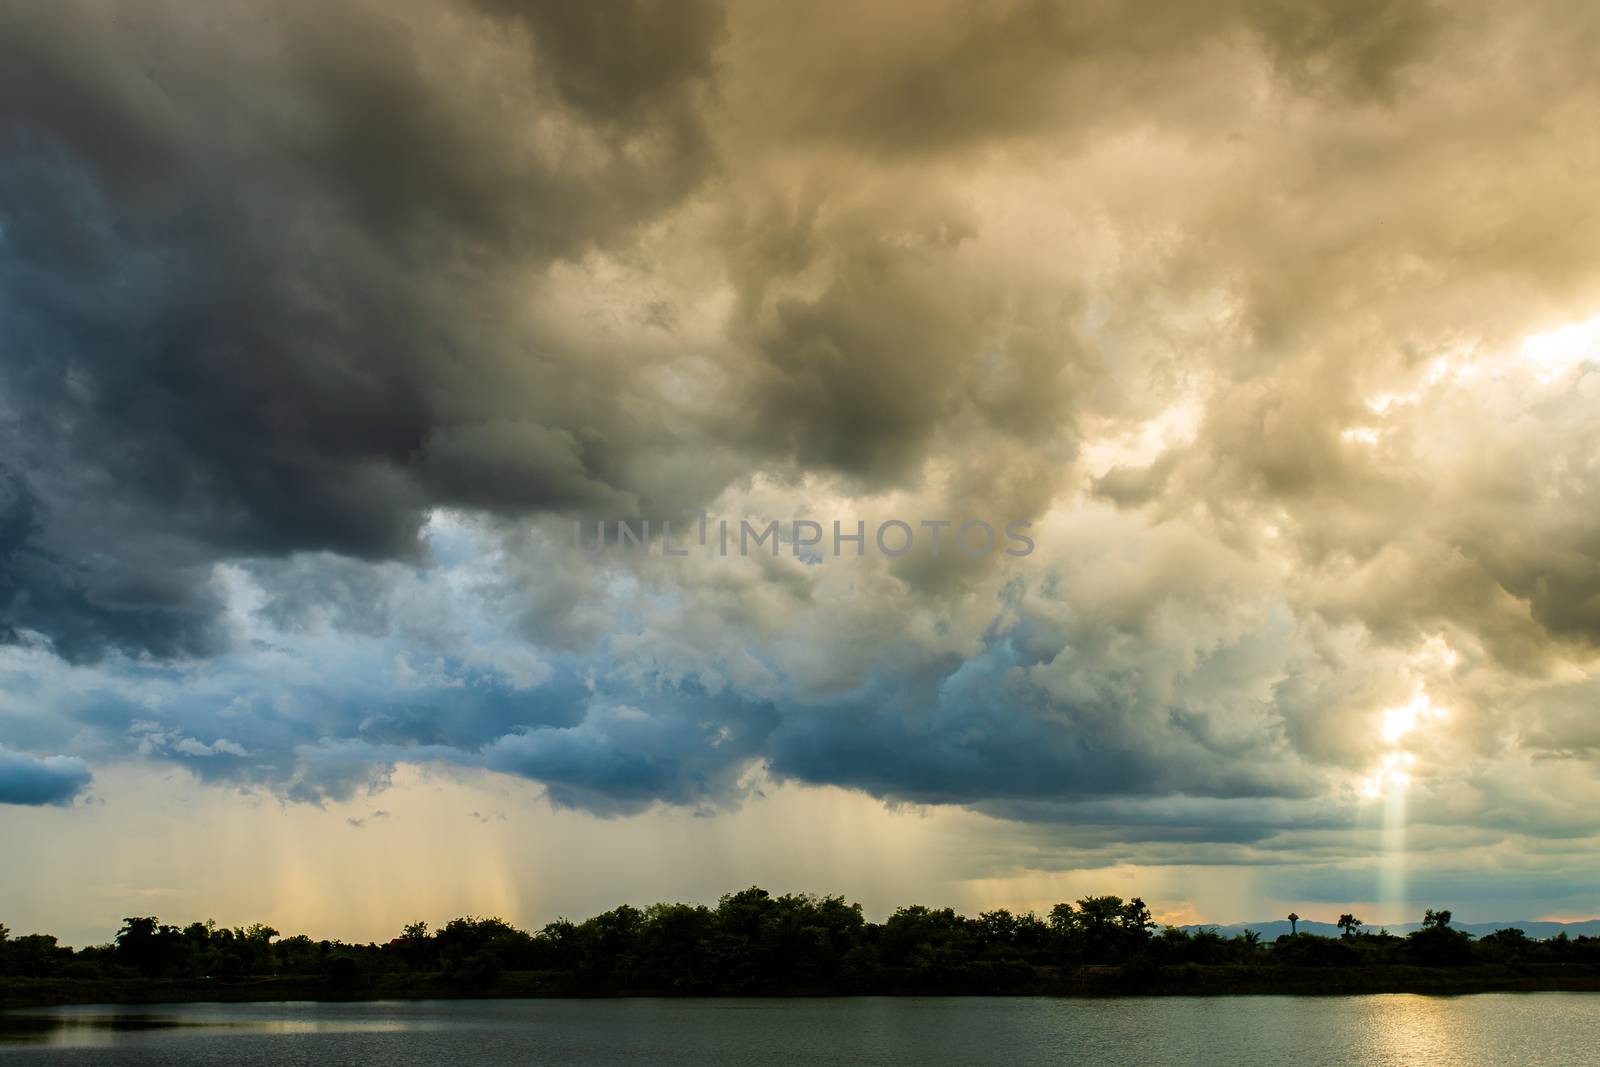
{"x": 1522, "y": 1029}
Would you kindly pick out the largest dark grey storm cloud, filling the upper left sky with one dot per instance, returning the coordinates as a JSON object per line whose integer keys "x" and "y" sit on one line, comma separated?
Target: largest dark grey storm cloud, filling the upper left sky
{"x": 258, "y": 266}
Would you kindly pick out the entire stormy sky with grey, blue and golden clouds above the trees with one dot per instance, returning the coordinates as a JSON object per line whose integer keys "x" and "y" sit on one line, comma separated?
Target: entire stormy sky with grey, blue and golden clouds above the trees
{"x": 1274, "y": 329}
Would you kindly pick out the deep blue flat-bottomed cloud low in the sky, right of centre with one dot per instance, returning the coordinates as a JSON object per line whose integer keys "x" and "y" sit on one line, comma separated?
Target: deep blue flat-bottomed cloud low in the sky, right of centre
{"x": 999, "y": 727}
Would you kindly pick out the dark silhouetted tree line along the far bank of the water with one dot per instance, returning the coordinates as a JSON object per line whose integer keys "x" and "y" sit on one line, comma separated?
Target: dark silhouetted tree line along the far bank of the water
{"x": 758, "y": 943}
